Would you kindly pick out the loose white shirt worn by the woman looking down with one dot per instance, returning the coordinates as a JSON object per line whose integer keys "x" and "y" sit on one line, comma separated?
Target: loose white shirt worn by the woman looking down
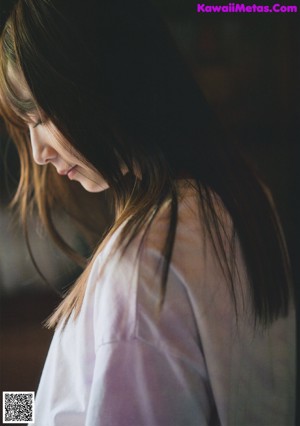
{"x": 122, "y": 363}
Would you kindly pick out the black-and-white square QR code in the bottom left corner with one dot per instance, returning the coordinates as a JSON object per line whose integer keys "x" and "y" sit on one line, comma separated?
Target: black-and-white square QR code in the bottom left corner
{"x": 18, "y": 407}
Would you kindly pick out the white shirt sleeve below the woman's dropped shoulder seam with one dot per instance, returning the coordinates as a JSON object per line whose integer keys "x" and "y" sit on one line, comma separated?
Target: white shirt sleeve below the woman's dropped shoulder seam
{"x": 135, "y": 384}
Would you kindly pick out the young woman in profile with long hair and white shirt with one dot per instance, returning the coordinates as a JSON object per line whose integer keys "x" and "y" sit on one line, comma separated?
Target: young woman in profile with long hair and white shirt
{"x": 184, "y": 314}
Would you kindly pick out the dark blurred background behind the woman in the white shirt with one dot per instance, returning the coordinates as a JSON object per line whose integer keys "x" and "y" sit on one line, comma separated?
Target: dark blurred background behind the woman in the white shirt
{"x": 248, "y": 68}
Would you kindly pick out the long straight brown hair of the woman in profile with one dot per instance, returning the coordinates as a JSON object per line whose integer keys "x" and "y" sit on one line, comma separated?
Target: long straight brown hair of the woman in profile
{"x": 111, "y": 80}
